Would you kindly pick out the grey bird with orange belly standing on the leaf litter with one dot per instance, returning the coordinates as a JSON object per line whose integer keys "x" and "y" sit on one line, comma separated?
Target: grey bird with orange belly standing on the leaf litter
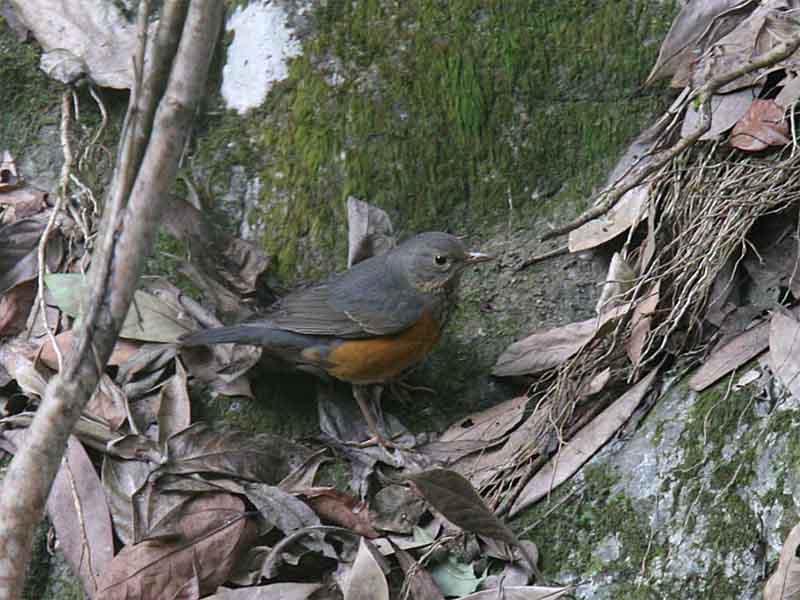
{"x": 367, "y": 326}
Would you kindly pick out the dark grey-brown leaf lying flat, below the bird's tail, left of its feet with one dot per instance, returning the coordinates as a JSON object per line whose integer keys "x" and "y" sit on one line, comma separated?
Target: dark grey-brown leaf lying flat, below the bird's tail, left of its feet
{"x": 260, "y": 457}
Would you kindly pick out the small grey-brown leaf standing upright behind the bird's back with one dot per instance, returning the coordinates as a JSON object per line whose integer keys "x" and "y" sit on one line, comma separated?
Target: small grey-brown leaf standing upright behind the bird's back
{"x": 370, "y": 231}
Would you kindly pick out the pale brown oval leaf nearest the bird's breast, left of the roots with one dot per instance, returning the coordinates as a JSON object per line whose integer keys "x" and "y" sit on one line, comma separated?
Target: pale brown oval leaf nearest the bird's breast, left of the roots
{"x": 544, "y": 349}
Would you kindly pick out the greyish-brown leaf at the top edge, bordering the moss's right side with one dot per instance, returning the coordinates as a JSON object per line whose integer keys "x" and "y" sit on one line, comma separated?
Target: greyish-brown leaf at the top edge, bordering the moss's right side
{"x": 699, "y": 24}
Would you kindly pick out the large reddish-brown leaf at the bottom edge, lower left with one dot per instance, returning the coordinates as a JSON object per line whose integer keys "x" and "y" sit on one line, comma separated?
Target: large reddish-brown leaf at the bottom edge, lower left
{"x": 214, "y": 533}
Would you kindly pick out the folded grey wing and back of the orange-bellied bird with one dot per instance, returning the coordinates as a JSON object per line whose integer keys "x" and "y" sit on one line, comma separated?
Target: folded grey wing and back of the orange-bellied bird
{"x": 367, "y": 300}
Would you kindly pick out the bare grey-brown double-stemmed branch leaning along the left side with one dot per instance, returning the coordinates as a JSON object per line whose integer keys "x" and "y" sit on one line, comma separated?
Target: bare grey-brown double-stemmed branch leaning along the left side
{"x": 144, "y": 175}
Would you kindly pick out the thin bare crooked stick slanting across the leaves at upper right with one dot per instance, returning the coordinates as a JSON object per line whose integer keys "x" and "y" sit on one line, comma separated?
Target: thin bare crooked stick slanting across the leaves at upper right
{"x": 636, "y": 175}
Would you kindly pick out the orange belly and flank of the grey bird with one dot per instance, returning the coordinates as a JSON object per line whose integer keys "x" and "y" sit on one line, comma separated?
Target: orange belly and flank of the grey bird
{"x": 381, "y": 358}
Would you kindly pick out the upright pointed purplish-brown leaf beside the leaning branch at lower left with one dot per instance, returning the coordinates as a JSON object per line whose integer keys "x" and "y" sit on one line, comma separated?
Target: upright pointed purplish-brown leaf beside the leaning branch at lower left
{"x": 77, "y": 507}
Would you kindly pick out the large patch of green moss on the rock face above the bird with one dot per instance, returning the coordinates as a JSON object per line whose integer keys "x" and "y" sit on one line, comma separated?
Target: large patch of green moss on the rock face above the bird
{"x": 442, "y": 113}
